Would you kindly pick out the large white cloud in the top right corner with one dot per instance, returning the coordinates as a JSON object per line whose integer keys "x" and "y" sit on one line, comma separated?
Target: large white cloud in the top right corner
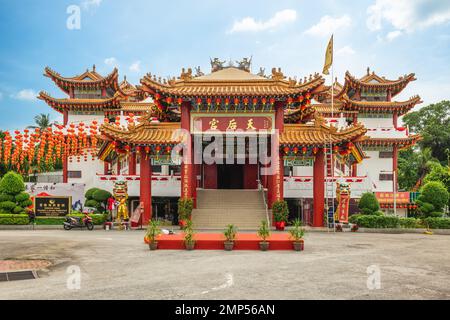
{"x": 408, "y": 15}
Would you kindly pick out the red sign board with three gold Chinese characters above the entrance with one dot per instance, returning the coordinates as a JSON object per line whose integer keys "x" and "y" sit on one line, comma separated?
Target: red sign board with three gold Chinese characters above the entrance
{"x": 232, "y": 123}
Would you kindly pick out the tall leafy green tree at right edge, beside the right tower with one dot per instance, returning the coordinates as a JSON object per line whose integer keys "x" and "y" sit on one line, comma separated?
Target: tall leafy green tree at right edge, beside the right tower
{"x": 433, "y": 123}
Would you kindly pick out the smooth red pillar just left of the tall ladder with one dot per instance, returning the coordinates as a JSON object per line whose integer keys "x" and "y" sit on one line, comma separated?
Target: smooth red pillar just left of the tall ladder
{"x": 319, "y": 189}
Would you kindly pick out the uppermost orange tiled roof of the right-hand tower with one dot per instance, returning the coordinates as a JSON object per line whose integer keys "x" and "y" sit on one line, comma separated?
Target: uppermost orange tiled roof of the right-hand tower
{"x": 375, "y": 83}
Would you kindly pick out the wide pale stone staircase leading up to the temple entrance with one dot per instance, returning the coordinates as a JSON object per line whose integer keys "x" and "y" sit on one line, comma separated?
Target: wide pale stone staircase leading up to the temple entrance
{"x": 218, "y": 208}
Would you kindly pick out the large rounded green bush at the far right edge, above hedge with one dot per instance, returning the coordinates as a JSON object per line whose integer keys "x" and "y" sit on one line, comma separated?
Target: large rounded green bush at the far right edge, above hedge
{"x": 434, "y": 193}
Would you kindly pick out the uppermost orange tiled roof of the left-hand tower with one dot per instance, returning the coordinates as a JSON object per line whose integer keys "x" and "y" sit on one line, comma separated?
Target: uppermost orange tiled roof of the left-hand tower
{"x": 89, "y": 79}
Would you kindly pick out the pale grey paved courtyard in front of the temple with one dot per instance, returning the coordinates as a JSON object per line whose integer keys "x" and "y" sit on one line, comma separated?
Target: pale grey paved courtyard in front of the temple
{"x": 117, "y": 265}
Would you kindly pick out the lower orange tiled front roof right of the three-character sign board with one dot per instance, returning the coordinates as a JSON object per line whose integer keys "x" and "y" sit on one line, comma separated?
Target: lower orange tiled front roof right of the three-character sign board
{"x": 319, "y": 134}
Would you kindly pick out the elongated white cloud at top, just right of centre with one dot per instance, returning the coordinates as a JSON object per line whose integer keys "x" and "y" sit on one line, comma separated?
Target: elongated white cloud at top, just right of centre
{"x": 249, "y": 24}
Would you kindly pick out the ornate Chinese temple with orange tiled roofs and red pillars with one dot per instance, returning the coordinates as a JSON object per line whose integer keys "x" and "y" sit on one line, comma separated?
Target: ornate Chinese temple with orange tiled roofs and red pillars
{"x": 235, "y": 142}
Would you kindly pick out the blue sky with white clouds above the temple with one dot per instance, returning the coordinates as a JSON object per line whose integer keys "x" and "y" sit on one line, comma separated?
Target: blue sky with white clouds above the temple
{"x": 393, "y": 37}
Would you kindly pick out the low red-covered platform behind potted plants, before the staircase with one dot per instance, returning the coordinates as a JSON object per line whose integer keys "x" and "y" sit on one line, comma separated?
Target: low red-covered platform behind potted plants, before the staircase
{"x": 214, "y": 241}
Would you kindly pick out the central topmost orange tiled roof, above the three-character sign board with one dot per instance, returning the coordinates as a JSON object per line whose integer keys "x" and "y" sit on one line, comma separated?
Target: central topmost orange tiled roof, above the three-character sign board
{"x": 231, "y": 82}
